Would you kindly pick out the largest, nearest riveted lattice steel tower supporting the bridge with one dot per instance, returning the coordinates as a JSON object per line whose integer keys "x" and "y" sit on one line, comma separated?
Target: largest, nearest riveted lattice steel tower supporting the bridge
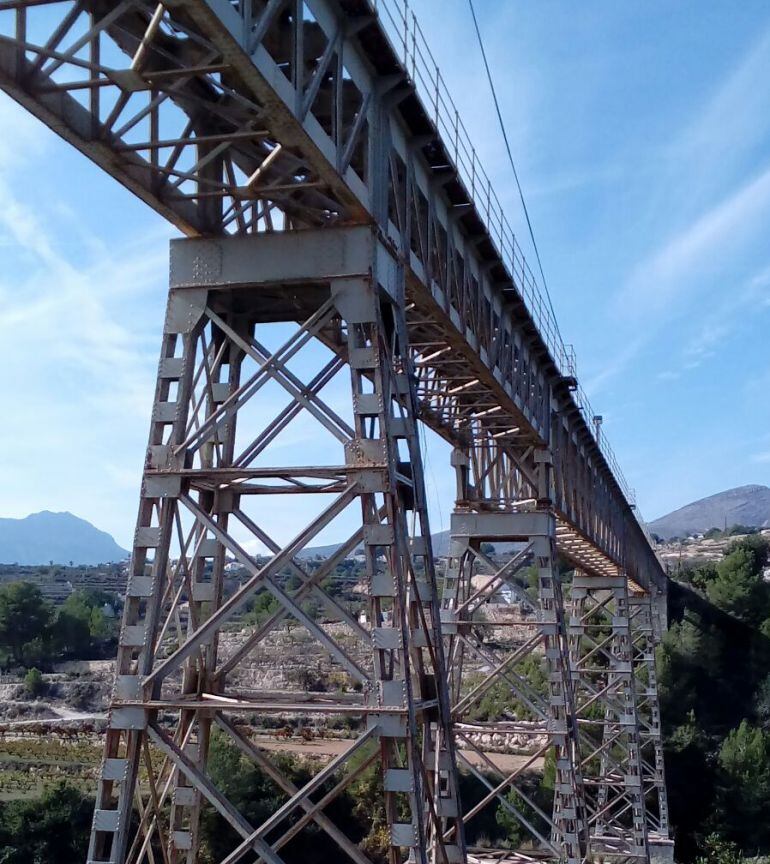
{"x": 205, "y": 482}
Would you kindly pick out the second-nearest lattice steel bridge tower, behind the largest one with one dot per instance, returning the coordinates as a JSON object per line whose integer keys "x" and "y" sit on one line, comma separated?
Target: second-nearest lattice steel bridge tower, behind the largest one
{"x": 503, "y": 650}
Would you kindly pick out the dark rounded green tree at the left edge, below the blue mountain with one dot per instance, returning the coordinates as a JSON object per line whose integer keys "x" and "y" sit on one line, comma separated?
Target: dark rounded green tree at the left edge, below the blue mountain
{"x": 25, "y": 619}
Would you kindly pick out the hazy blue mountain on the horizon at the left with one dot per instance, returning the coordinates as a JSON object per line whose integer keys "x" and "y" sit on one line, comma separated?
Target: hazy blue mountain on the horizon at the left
{"x": 58, "y": 537}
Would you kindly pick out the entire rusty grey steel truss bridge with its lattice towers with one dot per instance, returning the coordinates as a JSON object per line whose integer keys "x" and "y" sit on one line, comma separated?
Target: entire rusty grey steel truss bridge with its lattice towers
{"x": 326, "y": 187}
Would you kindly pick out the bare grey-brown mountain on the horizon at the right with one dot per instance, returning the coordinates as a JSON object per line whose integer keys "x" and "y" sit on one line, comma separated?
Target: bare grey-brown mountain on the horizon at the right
{"x": 746, "y": 505}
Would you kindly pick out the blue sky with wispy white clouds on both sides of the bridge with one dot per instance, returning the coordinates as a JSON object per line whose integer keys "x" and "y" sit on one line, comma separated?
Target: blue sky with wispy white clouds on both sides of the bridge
{"x": 642, "y": 137}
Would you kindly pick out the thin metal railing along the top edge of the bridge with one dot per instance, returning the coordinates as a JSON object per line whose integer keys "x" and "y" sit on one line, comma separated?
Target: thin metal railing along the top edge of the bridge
{"x": 402, "y": 28}
